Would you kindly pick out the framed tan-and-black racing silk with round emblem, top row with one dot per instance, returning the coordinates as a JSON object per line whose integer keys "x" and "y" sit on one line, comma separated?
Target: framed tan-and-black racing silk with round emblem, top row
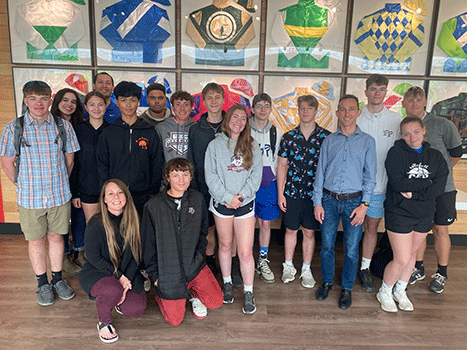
{"x": 220, "y": 34}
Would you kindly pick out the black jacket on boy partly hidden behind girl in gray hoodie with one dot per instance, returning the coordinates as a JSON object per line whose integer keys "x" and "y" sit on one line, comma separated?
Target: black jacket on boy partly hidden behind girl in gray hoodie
{"x": 199, "y": 137}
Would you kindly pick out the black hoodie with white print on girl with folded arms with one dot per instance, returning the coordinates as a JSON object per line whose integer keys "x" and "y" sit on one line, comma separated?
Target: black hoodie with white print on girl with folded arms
{"x": 424, "y": 174}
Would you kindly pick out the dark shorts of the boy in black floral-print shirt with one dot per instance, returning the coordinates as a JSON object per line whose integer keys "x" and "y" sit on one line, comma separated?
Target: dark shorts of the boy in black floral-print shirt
{"x": 299, "y": 212}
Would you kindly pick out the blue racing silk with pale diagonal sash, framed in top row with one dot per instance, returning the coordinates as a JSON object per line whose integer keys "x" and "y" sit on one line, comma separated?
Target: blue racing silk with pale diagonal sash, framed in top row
{"x": 136, "y": 30}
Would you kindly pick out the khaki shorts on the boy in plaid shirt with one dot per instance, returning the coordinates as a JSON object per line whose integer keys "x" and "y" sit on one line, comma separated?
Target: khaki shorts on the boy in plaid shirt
{"x": 35, "y": 223}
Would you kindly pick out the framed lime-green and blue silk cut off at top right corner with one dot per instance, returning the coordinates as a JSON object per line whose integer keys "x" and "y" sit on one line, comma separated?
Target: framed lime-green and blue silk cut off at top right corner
{"x": 450, "y": 49}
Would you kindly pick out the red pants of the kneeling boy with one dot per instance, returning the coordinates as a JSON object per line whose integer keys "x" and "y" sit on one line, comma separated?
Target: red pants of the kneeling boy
{"x": 204, "y": 287}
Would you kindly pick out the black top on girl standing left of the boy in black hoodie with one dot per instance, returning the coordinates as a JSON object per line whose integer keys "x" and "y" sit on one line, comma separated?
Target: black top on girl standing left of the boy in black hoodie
{"x": 84, "y": 177}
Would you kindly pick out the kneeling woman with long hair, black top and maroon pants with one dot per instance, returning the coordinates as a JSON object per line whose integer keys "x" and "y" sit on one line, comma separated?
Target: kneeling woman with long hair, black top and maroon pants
{"x": 113, "y": 248}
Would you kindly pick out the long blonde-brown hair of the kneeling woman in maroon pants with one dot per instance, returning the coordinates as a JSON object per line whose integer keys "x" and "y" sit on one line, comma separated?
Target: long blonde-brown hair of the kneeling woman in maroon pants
{"x": 129, "y": 226}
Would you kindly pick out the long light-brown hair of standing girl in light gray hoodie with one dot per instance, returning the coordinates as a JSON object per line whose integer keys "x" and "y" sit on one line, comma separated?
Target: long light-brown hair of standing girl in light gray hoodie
{"x": 244, "y": 145}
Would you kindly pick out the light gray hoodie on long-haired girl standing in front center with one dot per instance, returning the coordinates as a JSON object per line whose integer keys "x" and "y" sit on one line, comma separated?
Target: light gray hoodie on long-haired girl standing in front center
{"x": 224, "y": 172}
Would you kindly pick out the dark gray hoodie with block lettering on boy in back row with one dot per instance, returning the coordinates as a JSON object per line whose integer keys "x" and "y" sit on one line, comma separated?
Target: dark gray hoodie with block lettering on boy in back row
{"x": 174, "y": 137}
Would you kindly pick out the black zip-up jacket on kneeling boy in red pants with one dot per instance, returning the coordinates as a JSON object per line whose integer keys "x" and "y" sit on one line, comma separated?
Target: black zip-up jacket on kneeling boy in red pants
{"x": 173, "y": 250}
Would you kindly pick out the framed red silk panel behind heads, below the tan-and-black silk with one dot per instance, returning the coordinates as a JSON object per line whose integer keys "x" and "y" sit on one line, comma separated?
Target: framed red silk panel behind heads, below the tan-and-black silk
{"x": 238, "y": 89}
